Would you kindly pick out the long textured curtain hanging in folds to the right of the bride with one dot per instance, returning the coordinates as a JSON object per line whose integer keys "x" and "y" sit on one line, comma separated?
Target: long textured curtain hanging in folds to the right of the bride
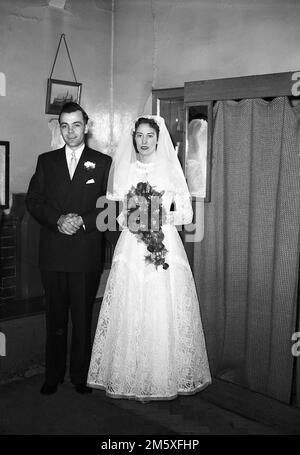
{"x": 246, "y": 267}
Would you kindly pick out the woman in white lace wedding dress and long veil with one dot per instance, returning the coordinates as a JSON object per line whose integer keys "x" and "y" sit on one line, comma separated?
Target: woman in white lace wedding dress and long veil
{"x": 149, "y": 342}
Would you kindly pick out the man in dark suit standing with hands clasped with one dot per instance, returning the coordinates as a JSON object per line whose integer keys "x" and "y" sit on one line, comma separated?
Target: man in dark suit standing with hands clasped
{"x": 62, "y": 197}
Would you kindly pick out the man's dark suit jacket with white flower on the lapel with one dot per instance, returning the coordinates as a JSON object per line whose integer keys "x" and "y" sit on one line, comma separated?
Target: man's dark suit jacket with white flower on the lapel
{"x": 52, "y": 193}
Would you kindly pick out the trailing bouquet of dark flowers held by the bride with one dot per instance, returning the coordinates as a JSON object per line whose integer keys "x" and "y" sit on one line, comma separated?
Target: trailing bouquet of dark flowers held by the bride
{"x": 145, "y": 217}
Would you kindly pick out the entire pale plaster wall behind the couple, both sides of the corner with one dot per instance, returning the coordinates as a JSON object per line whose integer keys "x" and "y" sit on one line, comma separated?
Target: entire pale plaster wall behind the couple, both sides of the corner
{"x": 157, "y": 44}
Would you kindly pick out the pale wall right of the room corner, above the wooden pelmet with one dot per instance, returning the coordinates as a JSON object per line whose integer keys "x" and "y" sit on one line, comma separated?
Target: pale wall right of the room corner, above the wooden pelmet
{"x": 163, "y": 43}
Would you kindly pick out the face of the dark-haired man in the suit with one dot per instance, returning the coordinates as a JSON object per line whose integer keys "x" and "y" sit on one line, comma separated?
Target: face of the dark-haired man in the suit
{"x": 73, "y": 129}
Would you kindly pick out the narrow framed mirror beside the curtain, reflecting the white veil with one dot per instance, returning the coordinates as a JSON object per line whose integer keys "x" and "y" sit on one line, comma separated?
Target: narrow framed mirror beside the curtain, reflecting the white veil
{"x": 198, "y": 148}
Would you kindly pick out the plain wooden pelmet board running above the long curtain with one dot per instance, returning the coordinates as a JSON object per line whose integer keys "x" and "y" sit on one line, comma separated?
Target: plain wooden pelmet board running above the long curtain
{"x": 260, "y": 86}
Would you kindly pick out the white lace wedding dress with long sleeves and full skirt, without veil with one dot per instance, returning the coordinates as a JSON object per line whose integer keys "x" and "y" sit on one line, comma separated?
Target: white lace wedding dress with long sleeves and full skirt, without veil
{"x": 149, "y": 342}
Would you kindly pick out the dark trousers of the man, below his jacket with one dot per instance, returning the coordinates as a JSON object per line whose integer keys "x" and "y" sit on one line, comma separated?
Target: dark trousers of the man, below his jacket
{"x": 63, "y": 291}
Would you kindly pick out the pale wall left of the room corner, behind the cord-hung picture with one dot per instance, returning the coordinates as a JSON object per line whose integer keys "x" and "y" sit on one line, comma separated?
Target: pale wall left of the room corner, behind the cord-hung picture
{"x": 29, "y": 36}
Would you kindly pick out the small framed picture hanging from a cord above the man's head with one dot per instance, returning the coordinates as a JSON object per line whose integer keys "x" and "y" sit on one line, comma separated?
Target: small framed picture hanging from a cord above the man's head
{"x": 60, "y": 92}
